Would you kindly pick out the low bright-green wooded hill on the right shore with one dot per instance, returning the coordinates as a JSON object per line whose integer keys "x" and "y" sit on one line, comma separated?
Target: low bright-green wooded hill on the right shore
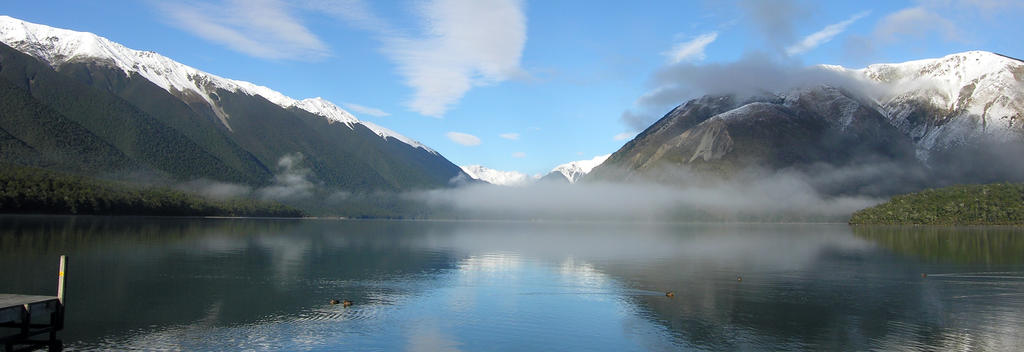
{"x": 998, "y": 204}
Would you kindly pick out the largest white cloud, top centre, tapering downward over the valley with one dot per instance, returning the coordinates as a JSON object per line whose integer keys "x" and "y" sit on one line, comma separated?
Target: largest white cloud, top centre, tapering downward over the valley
{"x": 465, "y": 43}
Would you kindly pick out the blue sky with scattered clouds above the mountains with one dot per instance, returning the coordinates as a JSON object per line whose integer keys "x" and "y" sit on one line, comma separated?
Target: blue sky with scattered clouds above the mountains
{"x": 523, "y": 85}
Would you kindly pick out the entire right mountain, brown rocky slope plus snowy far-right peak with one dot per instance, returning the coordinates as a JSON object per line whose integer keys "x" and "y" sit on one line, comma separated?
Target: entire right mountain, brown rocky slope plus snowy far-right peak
{"x": 957, "y": 119}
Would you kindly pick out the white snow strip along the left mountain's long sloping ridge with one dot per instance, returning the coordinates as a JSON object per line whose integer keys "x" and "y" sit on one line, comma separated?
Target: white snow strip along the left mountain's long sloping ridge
{"x": 59, "y": 47}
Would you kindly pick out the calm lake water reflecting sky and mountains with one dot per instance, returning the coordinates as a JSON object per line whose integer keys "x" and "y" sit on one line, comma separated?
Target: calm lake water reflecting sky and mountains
{"x": 230, "y": 285}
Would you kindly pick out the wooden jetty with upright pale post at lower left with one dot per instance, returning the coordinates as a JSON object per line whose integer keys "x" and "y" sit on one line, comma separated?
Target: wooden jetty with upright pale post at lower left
{"x": 30, "y": 317}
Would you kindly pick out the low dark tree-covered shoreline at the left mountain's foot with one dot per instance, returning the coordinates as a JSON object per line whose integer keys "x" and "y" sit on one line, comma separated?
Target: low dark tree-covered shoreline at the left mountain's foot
{"x": 31, "y": 191}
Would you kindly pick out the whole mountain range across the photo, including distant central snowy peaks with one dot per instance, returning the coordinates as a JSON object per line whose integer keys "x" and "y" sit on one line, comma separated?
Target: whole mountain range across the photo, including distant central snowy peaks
{"x": 78, "y": 103}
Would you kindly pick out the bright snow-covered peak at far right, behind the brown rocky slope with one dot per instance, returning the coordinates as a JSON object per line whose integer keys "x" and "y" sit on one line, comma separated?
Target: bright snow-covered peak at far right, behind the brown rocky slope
{"x": 968, "y": 96}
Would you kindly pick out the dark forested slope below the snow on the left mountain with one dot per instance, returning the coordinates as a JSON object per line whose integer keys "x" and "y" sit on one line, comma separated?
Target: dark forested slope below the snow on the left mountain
{"x": 89, "y": 118}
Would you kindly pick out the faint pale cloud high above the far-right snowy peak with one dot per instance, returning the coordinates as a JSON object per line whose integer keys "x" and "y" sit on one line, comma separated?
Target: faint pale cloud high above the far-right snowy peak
{"x": 916, "y": 23}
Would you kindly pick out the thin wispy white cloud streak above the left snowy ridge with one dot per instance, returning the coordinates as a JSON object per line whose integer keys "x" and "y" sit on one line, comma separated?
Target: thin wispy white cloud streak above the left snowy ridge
{"x": 259, "y": 28}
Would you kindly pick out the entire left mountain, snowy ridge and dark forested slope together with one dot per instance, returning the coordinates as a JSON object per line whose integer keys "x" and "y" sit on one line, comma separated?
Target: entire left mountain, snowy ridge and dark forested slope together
{"x": 78, "y": 103}
